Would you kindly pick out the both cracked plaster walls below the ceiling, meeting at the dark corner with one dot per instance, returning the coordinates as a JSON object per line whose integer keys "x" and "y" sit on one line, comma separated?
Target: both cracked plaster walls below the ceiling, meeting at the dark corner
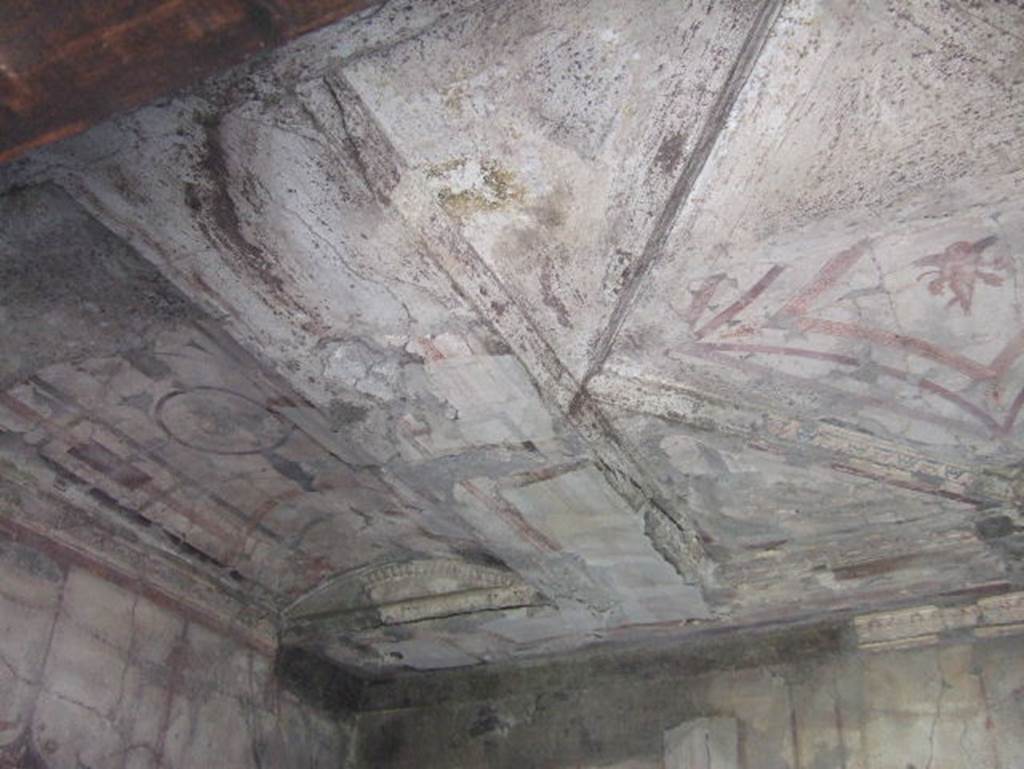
{"x": 95, "y": 675}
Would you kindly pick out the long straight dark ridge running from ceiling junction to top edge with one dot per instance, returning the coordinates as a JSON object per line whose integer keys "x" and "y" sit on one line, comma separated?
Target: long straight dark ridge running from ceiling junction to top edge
{"x": 693, "y": 169}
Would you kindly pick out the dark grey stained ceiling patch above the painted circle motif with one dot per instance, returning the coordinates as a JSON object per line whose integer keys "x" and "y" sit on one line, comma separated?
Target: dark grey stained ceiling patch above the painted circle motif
{"x": 72, "y": 290}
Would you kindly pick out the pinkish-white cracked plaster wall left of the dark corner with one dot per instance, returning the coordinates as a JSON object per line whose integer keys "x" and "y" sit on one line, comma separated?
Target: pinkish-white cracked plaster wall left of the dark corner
{"x": 96, "y": 677}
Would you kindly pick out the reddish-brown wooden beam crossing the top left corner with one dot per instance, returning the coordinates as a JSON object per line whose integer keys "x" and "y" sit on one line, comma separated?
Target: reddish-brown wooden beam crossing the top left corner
{"x": 66, "y": 66}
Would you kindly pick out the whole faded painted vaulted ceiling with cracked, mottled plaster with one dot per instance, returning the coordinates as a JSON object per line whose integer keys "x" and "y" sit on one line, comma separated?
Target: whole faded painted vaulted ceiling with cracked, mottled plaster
{"x": 461, "y": 332}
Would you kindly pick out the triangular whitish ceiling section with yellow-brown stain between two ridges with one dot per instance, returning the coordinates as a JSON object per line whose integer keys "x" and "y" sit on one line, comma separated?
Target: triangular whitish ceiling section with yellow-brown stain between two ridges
{"x": 566, "y": 98}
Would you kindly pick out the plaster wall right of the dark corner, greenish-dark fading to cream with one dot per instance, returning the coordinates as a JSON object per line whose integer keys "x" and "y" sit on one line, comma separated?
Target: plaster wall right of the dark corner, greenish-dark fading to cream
{"x": 956, "y": 706}
